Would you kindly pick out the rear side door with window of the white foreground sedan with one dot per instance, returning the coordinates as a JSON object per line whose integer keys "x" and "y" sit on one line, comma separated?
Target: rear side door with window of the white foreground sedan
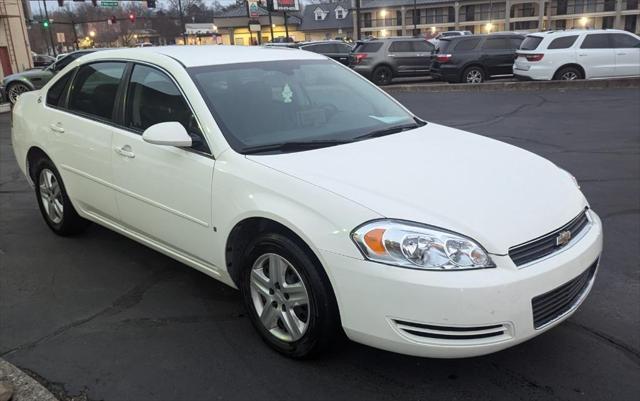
{"x": 82, "y": 132}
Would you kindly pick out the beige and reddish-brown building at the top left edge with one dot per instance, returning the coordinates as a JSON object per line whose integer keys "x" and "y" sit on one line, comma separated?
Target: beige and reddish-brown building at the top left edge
{"x": 15, "y": 53}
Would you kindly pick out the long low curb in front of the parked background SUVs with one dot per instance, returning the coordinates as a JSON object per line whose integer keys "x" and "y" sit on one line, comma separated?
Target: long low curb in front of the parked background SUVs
{"x": 518, "y": 86}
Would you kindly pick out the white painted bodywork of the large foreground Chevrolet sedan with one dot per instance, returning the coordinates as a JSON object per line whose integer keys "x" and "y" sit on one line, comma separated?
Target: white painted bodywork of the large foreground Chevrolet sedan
{"x": 186, "y": 206}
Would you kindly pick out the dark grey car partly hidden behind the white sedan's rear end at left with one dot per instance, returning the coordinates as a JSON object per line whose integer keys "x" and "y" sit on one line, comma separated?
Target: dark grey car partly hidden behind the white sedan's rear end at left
{"x": 15, "y": 84}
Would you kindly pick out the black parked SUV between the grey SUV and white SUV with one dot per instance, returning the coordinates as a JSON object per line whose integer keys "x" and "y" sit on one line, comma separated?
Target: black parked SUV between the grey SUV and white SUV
{"x": 474, "y": 59}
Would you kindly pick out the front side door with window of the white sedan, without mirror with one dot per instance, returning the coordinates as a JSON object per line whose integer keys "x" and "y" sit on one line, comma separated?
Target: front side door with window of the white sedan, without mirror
{"x": 163, "y": 192}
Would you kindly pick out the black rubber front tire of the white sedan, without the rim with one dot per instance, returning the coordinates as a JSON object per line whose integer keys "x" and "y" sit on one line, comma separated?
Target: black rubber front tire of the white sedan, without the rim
{"x": 322, "y": 315}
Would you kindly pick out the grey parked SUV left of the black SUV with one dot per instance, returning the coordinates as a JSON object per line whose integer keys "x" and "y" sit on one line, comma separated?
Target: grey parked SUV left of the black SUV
{"x": 381, "y": 60}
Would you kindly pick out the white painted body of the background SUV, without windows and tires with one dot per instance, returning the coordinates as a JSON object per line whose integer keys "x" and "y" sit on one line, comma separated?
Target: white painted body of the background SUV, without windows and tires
{"x": 593, "y": 63}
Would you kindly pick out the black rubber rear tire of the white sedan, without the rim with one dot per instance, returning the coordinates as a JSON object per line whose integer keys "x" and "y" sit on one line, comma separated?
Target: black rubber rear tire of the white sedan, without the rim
{"x": 70, "y": 222}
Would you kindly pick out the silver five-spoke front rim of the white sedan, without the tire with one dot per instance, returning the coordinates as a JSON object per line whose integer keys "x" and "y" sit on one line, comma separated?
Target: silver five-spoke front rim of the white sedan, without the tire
{"x": 279, "y": 297}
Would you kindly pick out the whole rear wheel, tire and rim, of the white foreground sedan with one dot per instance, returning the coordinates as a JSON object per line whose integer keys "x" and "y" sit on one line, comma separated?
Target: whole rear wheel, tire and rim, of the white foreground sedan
{"x": 54, "y": 203}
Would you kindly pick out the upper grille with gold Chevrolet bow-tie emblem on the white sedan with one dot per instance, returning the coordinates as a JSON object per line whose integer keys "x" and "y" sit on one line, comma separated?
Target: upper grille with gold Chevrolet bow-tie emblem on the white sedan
{"x": 548, "y": 244}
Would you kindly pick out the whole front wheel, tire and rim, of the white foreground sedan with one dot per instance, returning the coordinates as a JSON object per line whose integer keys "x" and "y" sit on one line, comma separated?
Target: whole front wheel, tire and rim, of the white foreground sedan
{"x": 287, "y": 296}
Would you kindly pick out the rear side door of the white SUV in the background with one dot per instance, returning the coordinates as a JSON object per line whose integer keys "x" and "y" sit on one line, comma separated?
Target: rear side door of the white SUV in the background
{"x": 597, "y": 55}
